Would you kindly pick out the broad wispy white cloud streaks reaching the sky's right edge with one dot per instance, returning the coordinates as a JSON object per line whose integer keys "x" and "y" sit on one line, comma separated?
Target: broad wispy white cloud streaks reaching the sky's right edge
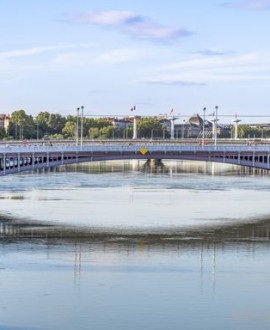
{"x": 203, "y": 71}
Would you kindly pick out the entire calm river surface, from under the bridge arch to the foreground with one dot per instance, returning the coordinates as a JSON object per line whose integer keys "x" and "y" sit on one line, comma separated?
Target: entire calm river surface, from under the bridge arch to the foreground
{"x": 129, "y": 245}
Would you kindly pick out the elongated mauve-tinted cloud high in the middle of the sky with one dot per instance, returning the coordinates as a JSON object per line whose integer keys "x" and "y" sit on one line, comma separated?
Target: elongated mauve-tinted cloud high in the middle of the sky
{"x": 130, "y": 23}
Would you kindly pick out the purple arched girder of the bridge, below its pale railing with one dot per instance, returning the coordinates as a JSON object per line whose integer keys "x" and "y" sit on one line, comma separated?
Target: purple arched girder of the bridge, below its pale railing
{"x": 18, "y": 162}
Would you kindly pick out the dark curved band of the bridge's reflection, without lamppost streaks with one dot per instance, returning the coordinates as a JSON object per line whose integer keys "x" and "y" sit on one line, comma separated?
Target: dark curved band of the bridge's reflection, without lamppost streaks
{"x": 258, "y": 232}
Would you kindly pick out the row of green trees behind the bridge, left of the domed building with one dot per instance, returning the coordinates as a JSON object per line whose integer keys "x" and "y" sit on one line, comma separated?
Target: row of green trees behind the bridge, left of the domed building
{"x": 55, "y": 126}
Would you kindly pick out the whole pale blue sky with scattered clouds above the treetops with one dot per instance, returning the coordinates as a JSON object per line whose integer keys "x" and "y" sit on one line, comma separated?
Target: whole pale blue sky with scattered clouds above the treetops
{"x": 109, "y": 55}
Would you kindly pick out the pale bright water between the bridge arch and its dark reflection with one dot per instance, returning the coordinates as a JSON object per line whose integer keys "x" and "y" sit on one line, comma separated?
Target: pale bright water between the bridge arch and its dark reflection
{"x": 125, "y": 195}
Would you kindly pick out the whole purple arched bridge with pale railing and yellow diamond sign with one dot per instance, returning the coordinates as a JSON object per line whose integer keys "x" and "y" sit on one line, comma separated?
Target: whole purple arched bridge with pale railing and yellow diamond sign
{"x": 14, "y": 159}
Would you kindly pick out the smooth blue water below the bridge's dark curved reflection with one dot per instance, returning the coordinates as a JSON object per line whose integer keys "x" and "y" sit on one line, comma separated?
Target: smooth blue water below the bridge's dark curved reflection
{"x": 136, "y": 287}
